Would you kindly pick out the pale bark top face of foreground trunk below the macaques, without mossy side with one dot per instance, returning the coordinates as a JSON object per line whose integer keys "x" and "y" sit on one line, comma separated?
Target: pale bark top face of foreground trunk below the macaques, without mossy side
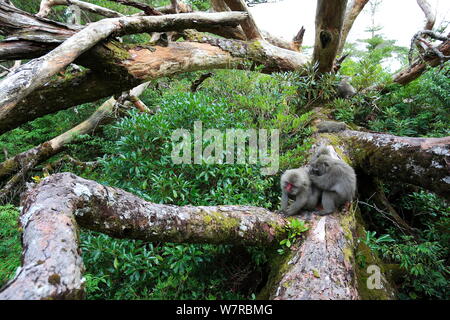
{"x": 323, "y": 267}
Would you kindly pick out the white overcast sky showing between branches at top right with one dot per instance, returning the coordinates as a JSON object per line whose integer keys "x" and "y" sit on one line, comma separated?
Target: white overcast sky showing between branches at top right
{"x": 400, "y": 19}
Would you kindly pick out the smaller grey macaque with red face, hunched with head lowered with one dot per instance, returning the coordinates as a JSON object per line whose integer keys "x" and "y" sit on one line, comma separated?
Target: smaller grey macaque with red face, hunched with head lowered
{"x": 295, "y": 184}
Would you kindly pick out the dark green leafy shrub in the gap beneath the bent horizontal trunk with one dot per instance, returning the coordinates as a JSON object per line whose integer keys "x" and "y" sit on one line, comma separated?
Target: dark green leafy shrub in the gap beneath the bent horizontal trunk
{"x": 127, "y": 269}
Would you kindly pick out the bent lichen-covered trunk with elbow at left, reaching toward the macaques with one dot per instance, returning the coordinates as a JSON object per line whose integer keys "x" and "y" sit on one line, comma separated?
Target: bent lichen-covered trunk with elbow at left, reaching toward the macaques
{"x": 52, "y": 265}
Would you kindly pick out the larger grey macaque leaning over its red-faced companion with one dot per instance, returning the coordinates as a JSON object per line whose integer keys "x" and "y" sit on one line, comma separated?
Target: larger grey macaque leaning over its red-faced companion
{"x": 335, "y": 178}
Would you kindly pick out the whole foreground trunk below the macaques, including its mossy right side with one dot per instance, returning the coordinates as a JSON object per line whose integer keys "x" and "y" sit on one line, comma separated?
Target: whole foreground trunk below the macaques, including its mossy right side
{"x": 324, "y": 266}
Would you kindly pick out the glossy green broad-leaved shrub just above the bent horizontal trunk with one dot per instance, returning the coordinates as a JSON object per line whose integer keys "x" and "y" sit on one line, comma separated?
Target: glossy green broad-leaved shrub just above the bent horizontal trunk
{"x": 144, "y": 165}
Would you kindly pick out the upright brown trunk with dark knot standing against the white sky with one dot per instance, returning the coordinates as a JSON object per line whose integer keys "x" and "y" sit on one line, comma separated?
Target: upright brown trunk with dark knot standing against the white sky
{"x": 329, "y": 20}
